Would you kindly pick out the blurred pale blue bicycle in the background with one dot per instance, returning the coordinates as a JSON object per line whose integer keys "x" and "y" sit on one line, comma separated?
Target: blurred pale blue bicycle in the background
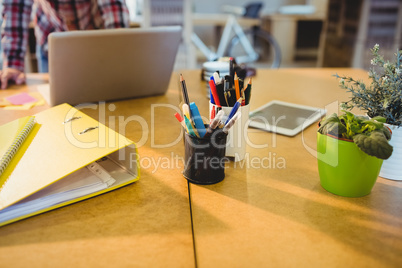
{"x": 252, "y": 46}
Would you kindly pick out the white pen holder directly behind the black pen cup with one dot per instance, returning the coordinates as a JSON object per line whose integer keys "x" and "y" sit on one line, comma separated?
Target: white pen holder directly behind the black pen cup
{"x": 236, "y": 140}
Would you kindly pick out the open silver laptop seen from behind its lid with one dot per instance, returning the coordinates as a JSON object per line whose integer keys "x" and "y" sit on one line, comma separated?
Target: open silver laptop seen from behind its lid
{"x": 114, "y": 64}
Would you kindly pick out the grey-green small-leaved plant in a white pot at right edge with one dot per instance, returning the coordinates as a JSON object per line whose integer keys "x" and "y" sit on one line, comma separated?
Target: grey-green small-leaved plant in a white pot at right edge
{"x": 382, "y": 97}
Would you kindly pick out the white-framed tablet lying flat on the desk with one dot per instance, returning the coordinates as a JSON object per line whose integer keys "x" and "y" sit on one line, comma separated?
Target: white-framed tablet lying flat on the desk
{"x": 284, "y": 118}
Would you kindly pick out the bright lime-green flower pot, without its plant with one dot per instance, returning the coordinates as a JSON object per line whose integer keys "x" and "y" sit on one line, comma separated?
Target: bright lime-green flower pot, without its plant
{"x": 344, "y": 169}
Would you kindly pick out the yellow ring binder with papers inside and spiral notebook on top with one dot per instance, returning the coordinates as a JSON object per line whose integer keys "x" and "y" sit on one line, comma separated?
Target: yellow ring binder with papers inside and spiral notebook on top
{"x": 58, "y": 157}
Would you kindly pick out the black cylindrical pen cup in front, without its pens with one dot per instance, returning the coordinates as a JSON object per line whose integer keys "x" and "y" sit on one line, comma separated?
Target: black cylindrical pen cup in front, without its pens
{"x": 205, "y": 158}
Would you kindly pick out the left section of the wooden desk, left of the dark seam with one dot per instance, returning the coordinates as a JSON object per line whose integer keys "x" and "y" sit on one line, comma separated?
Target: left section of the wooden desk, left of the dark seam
{"x": 146, "y": 224}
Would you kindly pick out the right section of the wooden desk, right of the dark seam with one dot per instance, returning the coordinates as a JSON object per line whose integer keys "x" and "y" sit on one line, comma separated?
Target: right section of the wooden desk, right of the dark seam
{"x": 281, "y": 217}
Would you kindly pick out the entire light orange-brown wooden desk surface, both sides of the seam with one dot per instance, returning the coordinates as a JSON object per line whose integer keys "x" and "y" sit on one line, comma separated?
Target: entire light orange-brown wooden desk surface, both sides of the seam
{"x": 277, "y": 215}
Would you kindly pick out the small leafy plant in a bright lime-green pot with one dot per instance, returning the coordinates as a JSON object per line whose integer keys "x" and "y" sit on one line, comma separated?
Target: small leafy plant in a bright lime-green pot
{"x": 351, "y": 150}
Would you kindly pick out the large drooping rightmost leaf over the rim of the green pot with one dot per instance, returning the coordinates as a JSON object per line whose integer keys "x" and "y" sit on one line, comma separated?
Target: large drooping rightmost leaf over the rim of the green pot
{"x": 374, "y": 144}
